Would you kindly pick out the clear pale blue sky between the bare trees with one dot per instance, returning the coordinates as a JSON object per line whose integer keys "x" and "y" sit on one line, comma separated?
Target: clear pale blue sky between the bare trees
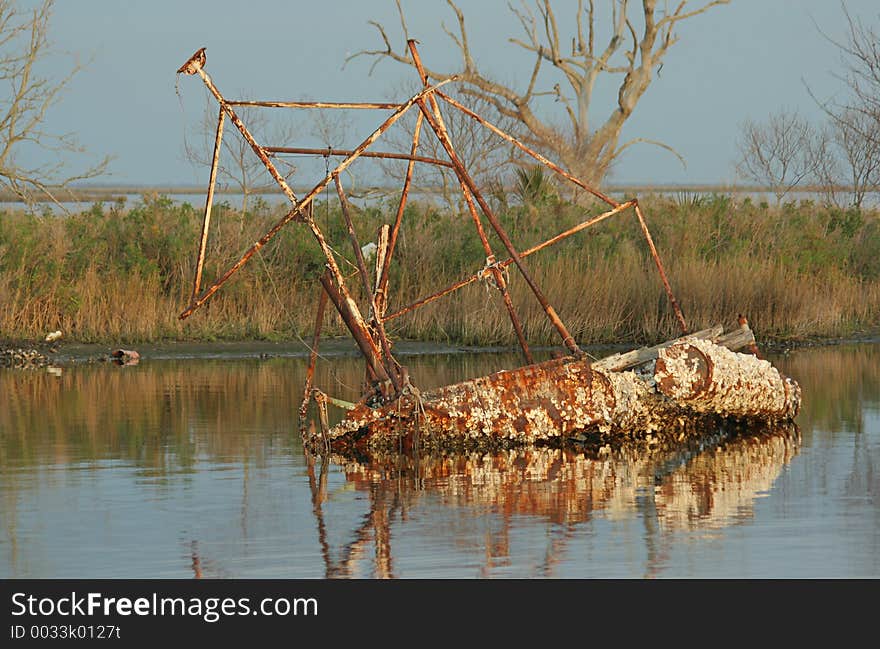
{"x": 743, "y": 60}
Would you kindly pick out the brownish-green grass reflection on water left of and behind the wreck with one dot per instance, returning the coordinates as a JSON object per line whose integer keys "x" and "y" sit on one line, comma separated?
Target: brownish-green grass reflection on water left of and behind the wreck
{"x": 163, "y": 416}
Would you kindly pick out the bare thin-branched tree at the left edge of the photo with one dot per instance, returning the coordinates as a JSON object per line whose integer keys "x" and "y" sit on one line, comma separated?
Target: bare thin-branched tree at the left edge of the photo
{"x": 24, "y": 104}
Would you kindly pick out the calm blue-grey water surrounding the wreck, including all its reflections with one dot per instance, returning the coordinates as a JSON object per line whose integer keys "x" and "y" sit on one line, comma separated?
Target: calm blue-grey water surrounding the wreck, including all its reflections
{"x": 193, "y": 468}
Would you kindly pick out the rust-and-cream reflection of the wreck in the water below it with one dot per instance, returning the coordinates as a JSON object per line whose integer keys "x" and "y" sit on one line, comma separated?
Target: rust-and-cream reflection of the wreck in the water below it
{"x": 707, "y": 483}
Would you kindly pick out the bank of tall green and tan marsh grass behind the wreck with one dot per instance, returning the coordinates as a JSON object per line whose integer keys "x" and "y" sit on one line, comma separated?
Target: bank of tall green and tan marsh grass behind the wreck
{"x": 122, "y": 274}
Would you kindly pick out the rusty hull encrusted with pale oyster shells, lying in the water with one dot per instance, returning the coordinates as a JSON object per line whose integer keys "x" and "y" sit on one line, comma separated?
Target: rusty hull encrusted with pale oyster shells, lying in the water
{"x": 570, "y": 399}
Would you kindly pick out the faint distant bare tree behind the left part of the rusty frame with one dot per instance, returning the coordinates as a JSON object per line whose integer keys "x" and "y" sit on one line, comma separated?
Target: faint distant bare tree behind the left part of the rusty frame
{"x": 238, "y": 167}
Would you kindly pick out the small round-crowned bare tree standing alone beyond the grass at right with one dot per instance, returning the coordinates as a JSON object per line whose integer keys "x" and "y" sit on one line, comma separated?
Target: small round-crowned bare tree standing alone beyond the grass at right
{"x": 780, "y": 153}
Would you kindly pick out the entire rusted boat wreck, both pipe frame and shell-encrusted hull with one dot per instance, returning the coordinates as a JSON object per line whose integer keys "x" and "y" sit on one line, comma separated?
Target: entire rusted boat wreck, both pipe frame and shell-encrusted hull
{"x": 682, "y": 386}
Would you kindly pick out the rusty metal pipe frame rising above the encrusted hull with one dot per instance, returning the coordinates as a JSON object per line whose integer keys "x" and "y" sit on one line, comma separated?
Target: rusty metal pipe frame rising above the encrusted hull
{"x": 387, "y": 378}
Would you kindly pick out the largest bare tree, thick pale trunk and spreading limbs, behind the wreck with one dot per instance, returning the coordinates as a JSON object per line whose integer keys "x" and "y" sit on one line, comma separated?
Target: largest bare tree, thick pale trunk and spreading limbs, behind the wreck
{"x": 634, "y": 52}
